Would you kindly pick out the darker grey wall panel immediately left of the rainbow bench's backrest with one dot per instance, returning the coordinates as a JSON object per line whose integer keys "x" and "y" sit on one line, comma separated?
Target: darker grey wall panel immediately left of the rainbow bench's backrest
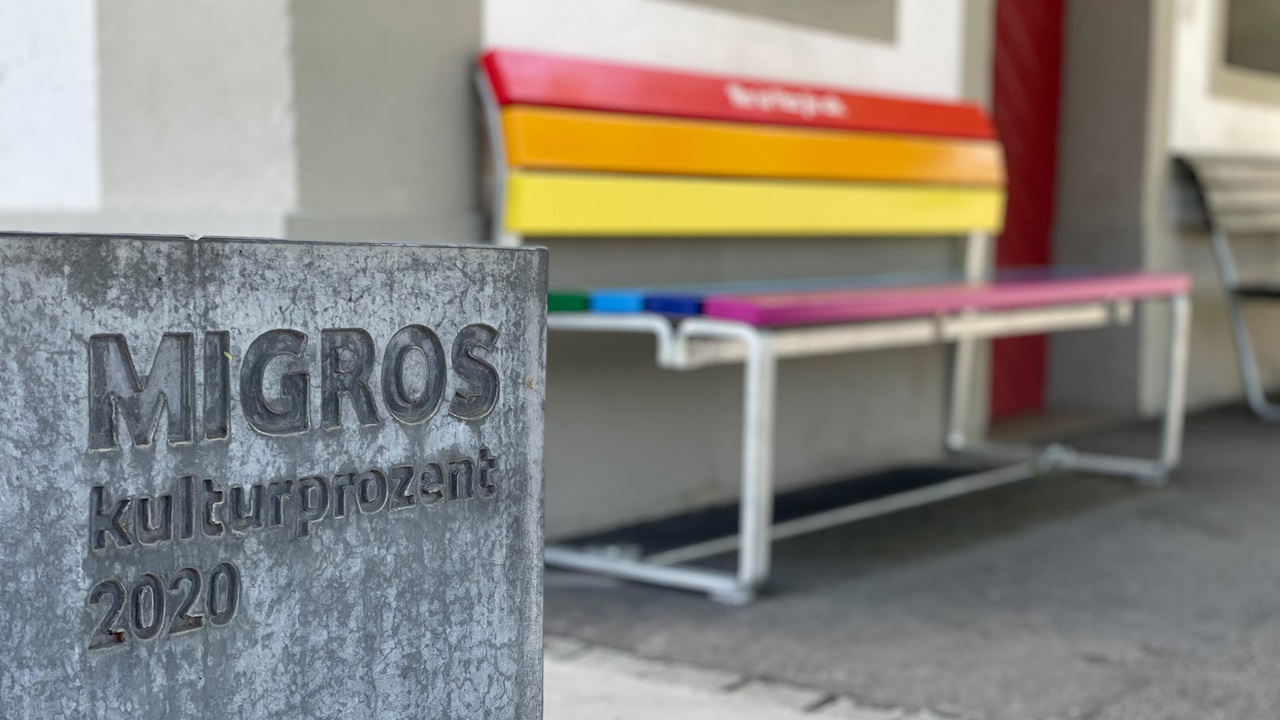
{"x": 386, "y": 125}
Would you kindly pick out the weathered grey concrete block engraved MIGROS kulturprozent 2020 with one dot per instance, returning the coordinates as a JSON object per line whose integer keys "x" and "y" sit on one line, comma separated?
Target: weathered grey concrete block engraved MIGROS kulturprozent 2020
{"x": 400, "y": 598}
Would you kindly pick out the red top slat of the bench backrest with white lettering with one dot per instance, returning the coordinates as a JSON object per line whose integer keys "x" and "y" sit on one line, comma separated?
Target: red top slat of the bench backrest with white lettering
{"x": 532, "y": 79}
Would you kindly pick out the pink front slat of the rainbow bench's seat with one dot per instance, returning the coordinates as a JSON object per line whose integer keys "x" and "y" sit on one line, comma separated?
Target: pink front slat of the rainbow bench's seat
{"x": 861, "y": 306}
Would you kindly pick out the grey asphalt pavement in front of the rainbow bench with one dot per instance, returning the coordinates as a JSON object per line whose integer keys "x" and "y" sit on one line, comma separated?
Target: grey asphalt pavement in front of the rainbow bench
{"x": 1067, "y": 596}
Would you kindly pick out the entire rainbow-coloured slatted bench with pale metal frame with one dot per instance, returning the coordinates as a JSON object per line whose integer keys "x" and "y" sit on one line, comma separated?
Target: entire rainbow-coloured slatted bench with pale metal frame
{"x": 598, "y": 149}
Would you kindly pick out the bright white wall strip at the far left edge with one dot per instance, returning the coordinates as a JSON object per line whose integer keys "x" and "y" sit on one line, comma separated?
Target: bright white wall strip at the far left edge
{"x": 49, "y": 156}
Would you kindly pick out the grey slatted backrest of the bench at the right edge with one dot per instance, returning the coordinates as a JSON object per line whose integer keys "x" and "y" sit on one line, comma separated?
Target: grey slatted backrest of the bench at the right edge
{"x": 1238, "y": 194}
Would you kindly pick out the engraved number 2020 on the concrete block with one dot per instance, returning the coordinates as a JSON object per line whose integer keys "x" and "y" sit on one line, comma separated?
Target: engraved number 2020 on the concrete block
{"x": 144, "y": 608}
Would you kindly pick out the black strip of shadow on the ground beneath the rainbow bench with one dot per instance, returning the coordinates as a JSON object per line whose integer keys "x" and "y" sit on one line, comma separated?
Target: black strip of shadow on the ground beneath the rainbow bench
{"x": 721, "y": 521}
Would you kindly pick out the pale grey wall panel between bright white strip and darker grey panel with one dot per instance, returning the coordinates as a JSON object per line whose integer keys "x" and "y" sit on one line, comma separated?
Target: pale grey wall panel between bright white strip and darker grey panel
{"x": 198, "y": 106}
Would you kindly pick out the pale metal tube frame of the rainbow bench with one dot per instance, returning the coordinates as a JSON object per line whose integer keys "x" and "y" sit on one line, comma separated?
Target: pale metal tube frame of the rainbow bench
{"x": 702, "y": 343}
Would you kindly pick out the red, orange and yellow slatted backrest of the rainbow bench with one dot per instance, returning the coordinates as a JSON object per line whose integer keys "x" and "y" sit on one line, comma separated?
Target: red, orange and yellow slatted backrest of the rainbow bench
{"x": 601, "y": 149}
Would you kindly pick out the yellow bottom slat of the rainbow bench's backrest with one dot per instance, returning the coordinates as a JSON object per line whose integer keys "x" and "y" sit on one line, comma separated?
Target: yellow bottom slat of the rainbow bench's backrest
{"x": 568, "y": 204}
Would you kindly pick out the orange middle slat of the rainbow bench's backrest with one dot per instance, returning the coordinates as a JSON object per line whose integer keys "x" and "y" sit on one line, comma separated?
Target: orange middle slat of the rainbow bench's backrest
{"x": 577, "y": 140}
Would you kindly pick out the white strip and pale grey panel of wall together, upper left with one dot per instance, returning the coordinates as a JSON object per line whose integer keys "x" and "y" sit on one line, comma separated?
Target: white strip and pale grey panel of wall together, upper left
{"x": 147, "y": 116}
